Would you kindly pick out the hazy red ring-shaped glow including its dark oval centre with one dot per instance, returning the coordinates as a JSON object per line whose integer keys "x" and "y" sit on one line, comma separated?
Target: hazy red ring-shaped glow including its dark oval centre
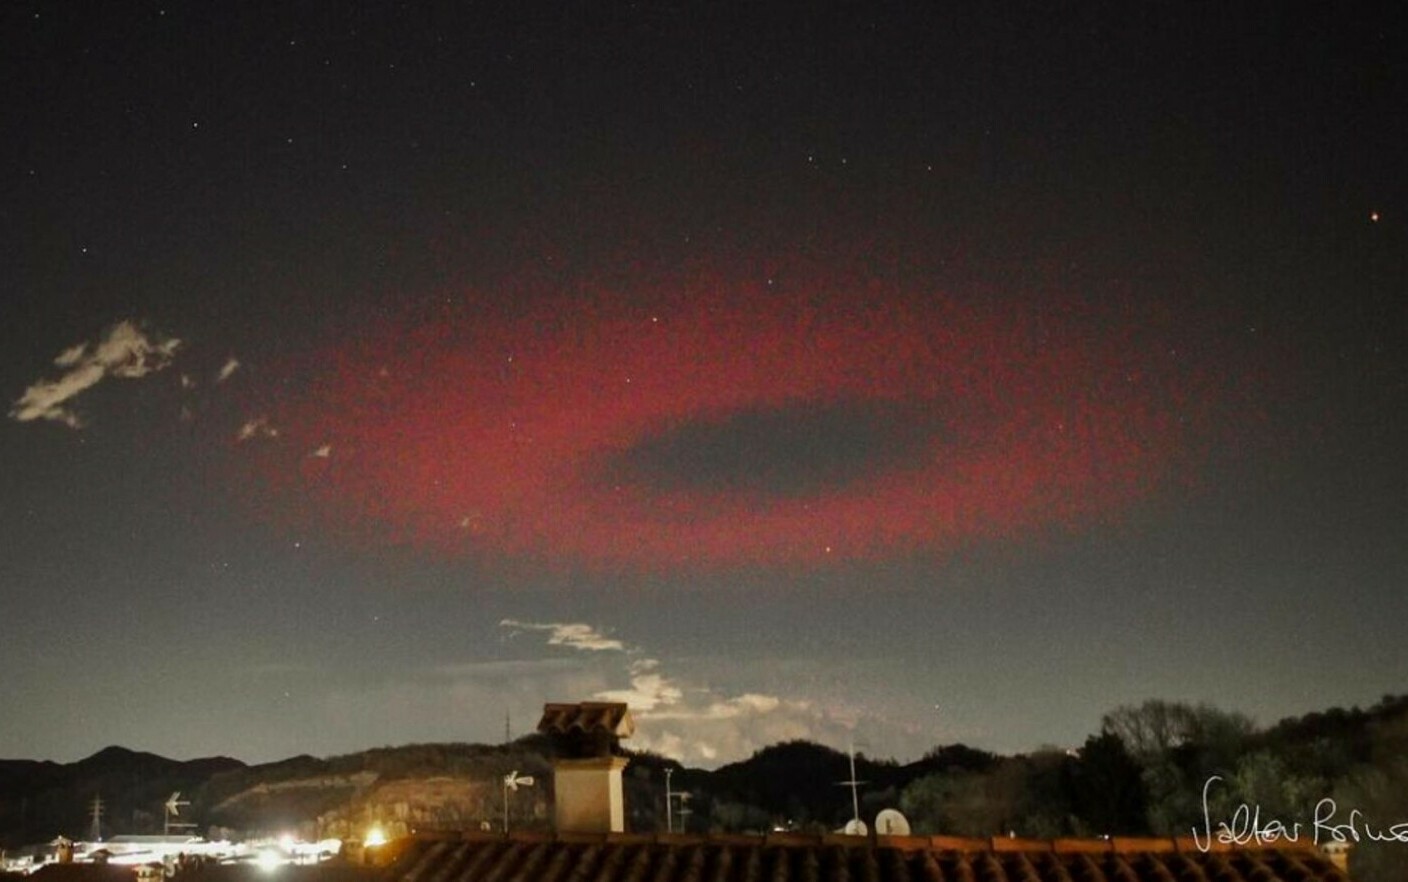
{"x": 570, "y": 433}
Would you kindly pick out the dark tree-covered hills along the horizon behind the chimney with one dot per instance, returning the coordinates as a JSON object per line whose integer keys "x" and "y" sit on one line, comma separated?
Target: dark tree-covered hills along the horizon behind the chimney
{"x": 1103, "y": 788}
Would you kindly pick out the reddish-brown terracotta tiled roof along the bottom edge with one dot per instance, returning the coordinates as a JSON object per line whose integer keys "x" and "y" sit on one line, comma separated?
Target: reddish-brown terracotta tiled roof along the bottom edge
{"x": 833, "y": 859}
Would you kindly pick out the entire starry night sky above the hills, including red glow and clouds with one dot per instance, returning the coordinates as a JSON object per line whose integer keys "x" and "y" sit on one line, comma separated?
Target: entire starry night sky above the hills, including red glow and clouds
{"x": 903, "y": 374}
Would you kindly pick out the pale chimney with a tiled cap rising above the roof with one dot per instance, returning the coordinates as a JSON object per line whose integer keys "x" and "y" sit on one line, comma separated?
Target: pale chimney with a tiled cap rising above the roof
{"x": 589, "y": 797}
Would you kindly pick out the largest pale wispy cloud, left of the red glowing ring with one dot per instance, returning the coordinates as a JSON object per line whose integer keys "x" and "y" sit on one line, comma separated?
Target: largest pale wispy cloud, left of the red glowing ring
{"x": 126, "y": 353}
